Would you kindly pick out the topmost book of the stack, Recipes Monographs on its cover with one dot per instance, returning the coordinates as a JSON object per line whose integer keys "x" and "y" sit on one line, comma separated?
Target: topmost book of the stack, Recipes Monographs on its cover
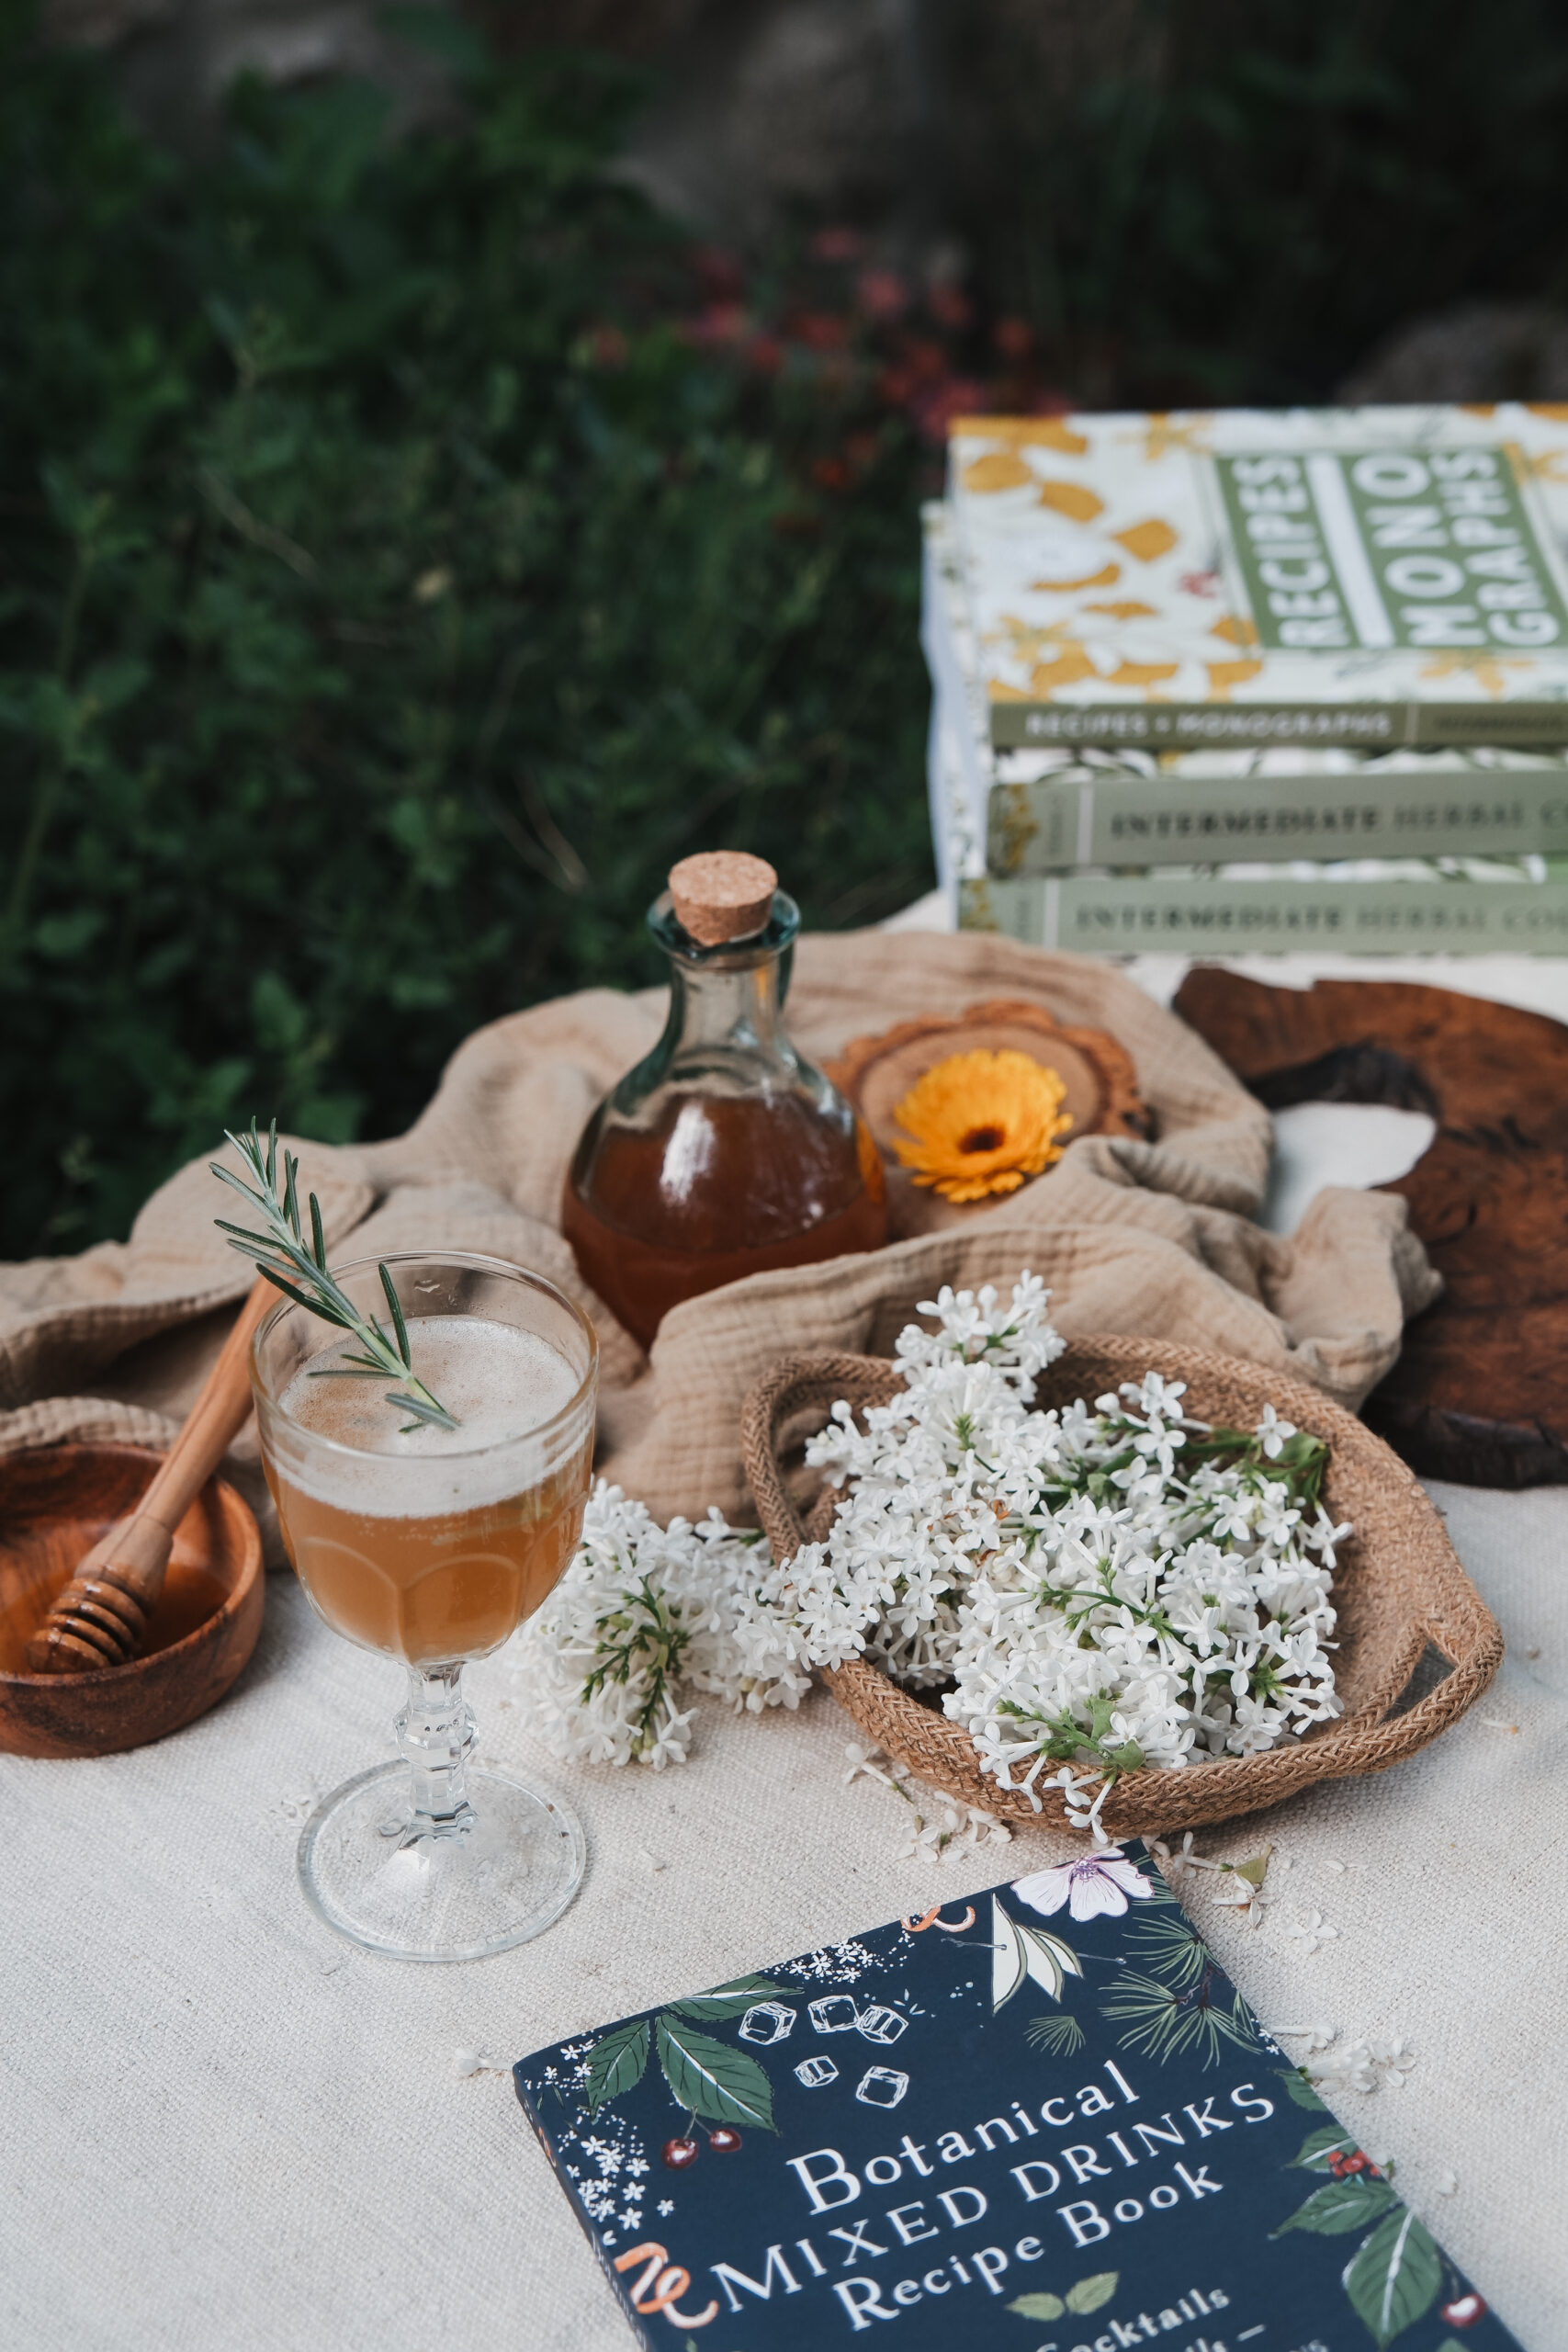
{"x": 1372, "y": 577}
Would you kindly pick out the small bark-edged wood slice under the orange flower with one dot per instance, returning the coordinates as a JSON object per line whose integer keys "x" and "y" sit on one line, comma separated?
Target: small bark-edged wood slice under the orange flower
{"x": 876, "y": 1074}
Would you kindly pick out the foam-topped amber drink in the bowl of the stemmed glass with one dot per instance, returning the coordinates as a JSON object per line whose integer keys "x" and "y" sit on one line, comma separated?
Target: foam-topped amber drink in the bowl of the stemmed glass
{"x": 434, "y": 1544}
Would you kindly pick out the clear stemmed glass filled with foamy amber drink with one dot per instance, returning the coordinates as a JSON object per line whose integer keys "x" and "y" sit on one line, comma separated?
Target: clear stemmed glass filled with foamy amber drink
{"x": 431, "y": 1546}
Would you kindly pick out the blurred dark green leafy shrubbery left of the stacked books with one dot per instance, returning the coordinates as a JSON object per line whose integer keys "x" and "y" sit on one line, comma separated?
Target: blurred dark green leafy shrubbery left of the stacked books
{"x": 406, "y": 554}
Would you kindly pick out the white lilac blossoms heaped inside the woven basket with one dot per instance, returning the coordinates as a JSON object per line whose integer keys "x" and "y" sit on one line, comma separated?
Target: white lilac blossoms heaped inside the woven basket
{"x": 1097, "y": 1589}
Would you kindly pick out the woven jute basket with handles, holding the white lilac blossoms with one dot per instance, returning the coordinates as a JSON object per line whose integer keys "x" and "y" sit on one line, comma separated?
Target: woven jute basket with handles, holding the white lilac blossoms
{"x": 1400, "y": 1589}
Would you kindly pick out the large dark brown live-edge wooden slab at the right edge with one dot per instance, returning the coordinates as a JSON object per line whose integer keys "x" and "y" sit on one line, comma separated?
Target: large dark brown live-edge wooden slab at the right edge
{"x": 1482, "y": 1384}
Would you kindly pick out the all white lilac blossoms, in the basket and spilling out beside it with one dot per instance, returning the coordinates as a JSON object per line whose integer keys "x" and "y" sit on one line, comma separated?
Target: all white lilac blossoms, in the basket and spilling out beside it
{"x": 1092, "y": 1589}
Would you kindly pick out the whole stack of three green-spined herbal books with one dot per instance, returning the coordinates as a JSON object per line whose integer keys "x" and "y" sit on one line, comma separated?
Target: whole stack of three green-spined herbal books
{"x": 1252, "y": 681}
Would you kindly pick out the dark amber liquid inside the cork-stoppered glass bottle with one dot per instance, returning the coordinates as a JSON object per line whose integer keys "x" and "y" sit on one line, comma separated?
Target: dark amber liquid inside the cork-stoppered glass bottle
{"x": 716, "y": 1189}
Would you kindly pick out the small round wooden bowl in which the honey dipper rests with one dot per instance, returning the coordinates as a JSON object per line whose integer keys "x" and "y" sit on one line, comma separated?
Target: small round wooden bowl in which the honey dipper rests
{"x": 55, "y": 1504}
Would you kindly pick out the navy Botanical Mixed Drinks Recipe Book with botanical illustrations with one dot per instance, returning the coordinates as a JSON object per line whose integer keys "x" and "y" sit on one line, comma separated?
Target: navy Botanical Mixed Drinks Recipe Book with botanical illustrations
{"x": 1038, "y": 2118}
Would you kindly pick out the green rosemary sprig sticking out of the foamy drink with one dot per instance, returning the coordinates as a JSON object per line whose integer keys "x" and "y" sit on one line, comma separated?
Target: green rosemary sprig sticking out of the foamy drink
{"x": 300, "y": 1271}
